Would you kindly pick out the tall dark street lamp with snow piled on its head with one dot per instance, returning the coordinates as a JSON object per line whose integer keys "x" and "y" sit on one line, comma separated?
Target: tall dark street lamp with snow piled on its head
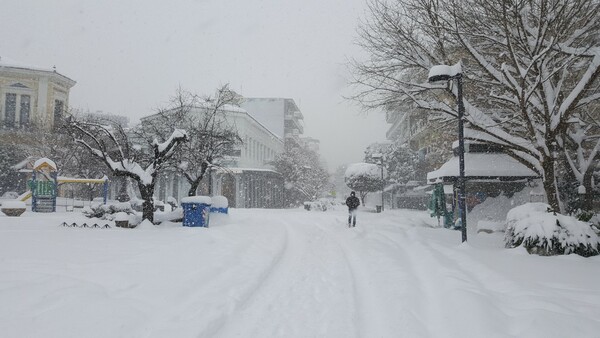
{"x": 447, "y": 73}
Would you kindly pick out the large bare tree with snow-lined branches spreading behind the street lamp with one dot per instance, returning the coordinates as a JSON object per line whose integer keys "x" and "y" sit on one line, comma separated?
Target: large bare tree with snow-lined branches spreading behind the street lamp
{"x": 530, "y": 67}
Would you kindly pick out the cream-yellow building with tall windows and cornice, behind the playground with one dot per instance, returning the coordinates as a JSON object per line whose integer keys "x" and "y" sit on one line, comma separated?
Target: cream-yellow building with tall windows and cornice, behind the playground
{"x": 31, "y": 96}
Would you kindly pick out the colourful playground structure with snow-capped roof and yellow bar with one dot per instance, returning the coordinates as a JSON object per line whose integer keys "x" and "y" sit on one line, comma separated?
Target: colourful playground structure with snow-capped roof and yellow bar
{"x": 44, "y": 186}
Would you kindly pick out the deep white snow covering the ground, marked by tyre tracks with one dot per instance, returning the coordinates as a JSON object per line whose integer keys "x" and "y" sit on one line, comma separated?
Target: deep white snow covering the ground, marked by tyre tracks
{"x": 285, "y": 273}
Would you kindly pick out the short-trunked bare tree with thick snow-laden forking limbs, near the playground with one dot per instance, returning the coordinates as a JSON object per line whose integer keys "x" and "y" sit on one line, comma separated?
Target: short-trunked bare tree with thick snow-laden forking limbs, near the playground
{"x": 125, "y": 156}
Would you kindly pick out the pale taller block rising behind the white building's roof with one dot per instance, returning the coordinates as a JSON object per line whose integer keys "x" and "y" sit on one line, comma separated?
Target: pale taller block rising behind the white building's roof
{"x": 281, "y": 116}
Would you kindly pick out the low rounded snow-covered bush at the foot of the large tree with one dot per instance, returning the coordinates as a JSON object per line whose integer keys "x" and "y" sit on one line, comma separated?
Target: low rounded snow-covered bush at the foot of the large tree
{"x": 546, "y": 233}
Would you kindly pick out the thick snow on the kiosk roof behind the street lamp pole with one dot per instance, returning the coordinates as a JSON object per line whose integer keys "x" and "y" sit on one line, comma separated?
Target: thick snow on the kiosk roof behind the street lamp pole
{"x": 482, "y": 165}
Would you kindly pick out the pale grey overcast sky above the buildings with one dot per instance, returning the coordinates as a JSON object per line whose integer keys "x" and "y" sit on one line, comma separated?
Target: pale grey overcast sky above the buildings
{"x": 128, "y": 57}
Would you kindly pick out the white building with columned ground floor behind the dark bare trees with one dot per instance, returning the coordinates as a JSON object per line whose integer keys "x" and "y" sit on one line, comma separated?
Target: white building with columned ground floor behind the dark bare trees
{"x": 245, "y": 177}
